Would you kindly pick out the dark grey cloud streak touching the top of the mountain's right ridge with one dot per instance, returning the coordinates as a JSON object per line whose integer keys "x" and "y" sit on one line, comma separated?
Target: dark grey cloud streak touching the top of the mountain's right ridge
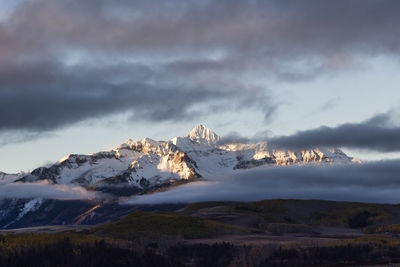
{"x": 378, "y": 133}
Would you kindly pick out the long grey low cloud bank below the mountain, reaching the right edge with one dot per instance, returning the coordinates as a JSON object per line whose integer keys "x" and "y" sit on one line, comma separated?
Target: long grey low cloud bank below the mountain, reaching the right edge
{"x": 377, "y": 182}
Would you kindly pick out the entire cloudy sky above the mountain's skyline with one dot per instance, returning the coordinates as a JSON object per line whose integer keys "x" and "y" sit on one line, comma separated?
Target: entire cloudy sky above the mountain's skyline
{"x": 84, "y": 76}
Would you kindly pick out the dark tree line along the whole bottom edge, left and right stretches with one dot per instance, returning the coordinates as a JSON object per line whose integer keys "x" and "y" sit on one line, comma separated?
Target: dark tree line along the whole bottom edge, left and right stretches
{"x": 100, "y": 253}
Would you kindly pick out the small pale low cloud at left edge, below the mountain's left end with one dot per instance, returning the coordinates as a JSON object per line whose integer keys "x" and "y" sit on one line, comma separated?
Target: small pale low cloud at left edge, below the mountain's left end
{"x": 45, "y": 190}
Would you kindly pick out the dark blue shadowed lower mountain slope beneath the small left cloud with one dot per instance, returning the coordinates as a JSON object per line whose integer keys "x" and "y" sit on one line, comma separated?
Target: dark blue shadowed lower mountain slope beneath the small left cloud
{"x": 17, "y": 213}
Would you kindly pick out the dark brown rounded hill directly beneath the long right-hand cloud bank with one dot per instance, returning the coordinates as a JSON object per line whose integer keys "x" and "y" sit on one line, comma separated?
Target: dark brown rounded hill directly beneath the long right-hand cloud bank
{"x": 289, "y": 211}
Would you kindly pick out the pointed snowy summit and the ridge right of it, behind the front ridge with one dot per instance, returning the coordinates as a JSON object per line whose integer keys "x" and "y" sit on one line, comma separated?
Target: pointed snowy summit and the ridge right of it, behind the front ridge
{"x": 201, "y": 144}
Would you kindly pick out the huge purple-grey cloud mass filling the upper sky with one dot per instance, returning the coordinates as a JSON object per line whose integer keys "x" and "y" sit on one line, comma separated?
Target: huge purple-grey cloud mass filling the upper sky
{"x": 64, "y": 61}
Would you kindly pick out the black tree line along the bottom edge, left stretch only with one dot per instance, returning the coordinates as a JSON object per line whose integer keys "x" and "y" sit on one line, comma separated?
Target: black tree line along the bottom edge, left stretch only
{"x": 100, "y": 253}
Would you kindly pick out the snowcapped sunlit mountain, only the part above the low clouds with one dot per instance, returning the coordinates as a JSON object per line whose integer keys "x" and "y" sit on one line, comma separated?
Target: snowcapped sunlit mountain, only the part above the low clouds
{"x": 148, "y": 165}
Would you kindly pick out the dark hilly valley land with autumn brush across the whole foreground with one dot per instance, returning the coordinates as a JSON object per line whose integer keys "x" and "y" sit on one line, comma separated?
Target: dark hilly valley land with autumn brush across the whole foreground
{"x": 264, "y": 233}
